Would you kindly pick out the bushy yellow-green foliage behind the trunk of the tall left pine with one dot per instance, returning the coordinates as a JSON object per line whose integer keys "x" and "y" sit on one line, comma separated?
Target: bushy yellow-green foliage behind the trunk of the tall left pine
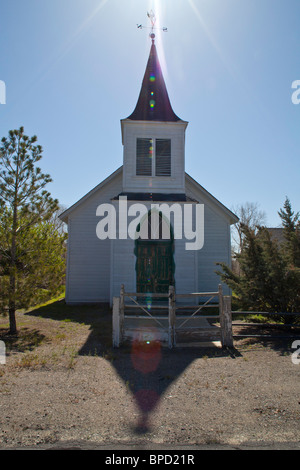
{"x": 40, "y": 265}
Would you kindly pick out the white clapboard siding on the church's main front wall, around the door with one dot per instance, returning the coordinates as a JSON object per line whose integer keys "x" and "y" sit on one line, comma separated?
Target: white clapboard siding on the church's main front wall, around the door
{"x": 97, "y": 268}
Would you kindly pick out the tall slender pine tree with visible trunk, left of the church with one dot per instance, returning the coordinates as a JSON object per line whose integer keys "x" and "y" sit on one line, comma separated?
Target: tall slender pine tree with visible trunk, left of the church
{"x": 24, "y": 203}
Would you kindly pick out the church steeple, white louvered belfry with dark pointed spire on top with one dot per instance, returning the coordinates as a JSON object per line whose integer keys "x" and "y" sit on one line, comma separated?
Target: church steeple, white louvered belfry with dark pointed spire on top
{"x": 153, "y": 138}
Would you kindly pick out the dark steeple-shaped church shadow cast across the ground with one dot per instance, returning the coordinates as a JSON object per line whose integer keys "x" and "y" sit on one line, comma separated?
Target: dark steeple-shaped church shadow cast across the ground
{"x": 145, "y": 367}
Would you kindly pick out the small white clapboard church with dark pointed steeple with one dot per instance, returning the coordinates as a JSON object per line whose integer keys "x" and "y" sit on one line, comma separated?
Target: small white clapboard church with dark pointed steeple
{"x": 149, "y": 224}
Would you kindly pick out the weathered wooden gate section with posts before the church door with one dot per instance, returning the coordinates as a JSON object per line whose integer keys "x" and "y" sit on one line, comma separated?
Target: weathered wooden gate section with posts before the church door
{"x": 172, "y": 323}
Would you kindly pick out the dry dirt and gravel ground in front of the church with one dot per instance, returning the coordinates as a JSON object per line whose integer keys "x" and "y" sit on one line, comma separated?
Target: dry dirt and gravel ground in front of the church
{"x": 63, "y": 385}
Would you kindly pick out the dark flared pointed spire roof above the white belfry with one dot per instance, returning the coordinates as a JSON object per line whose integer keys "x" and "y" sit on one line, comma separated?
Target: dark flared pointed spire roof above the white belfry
{"x": 153, "y": 103}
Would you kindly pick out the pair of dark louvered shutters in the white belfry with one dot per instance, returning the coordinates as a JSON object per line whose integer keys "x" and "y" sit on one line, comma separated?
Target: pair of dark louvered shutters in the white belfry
{"x": 153, "y": 157}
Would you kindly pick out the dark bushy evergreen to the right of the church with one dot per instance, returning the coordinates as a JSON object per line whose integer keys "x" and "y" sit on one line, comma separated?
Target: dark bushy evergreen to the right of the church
{"x": 269, "y": 278}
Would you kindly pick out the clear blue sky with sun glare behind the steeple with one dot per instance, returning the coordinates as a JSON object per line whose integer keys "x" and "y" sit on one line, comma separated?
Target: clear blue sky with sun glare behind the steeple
{"x": 73, "y": 69}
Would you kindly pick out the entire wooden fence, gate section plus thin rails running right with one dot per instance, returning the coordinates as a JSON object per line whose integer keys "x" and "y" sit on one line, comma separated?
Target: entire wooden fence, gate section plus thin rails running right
{"x": 170, "y": 322}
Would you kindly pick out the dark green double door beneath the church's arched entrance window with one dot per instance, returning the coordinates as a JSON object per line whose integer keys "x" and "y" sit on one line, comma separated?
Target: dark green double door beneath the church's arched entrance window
{"x": 154, "y": 266}
